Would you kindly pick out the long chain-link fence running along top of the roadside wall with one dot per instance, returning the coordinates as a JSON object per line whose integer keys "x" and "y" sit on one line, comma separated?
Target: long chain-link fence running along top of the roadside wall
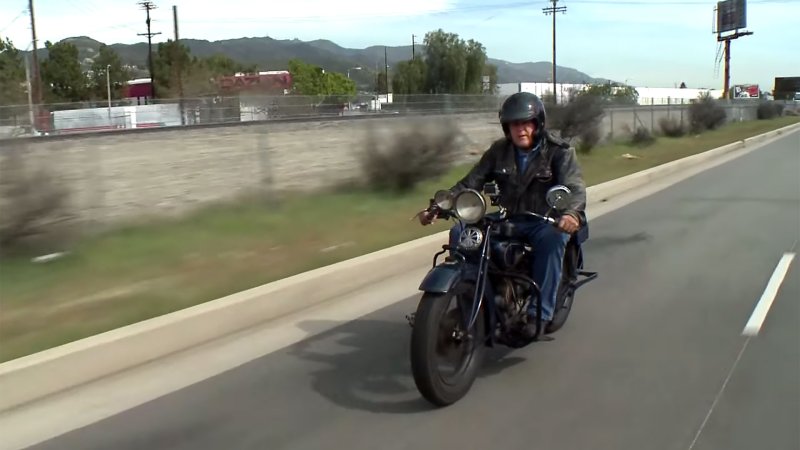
{"x": 98, "y": 116}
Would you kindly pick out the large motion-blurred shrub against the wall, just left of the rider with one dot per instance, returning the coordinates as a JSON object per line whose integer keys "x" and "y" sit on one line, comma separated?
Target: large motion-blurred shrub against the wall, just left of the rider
{"x": 400, "y": 158}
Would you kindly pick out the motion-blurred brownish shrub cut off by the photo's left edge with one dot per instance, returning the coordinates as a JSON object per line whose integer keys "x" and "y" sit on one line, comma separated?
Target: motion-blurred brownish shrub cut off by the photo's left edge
{"x": 32, "y": 204}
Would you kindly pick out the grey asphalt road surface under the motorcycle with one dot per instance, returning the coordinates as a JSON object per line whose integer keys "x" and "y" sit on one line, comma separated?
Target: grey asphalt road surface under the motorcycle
{"x": 653, "y": 356}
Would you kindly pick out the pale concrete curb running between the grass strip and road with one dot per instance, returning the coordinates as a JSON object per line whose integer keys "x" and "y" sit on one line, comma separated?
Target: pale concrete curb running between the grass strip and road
{"x": 36, "y": 376}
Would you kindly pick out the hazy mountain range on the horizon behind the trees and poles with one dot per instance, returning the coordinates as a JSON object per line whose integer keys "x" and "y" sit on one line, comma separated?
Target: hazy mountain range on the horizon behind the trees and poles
{"x": 273, "y": 54}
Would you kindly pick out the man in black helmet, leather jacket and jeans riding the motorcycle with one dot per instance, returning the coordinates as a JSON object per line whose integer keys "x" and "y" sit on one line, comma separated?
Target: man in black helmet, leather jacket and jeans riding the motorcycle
{"x": 525, "y": 164}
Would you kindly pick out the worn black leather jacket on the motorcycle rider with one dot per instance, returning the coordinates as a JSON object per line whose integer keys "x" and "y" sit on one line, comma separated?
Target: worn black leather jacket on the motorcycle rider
{"x": 555, "y": 163}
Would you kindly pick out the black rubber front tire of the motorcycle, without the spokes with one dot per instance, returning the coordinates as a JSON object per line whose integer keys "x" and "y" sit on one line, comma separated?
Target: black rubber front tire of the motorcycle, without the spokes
{"x": 425, "y": 340}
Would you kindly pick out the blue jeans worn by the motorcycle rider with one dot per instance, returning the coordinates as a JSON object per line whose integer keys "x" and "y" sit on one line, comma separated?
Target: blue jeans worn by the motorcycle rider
{"x": 548, "y": 244}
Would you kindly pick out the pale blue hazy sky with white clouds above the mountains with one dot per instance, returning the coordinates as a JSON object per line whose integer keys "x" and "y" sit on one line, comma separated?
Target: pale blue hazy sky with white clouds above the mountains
{"x": 647, "y": 42}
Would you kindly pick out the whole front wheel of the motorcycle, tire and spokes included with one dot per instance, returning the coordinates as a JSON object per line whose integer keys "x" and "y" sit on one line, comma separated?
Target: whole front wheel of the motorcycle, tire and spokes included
{"x": 445, "y": 358}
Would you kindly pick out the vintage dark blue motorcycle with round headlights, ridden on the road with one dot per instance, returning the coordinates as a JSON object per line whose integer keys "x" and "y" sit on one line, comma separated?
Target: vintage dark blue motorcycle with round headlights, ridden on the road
{"x": 487, "y": 274}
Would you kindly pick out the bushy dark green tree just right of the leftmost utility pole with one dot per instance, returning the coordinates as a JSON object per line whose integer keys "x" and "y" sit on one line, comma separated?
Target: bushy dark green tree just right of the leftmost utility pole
{"x": 62, "y": 77}
